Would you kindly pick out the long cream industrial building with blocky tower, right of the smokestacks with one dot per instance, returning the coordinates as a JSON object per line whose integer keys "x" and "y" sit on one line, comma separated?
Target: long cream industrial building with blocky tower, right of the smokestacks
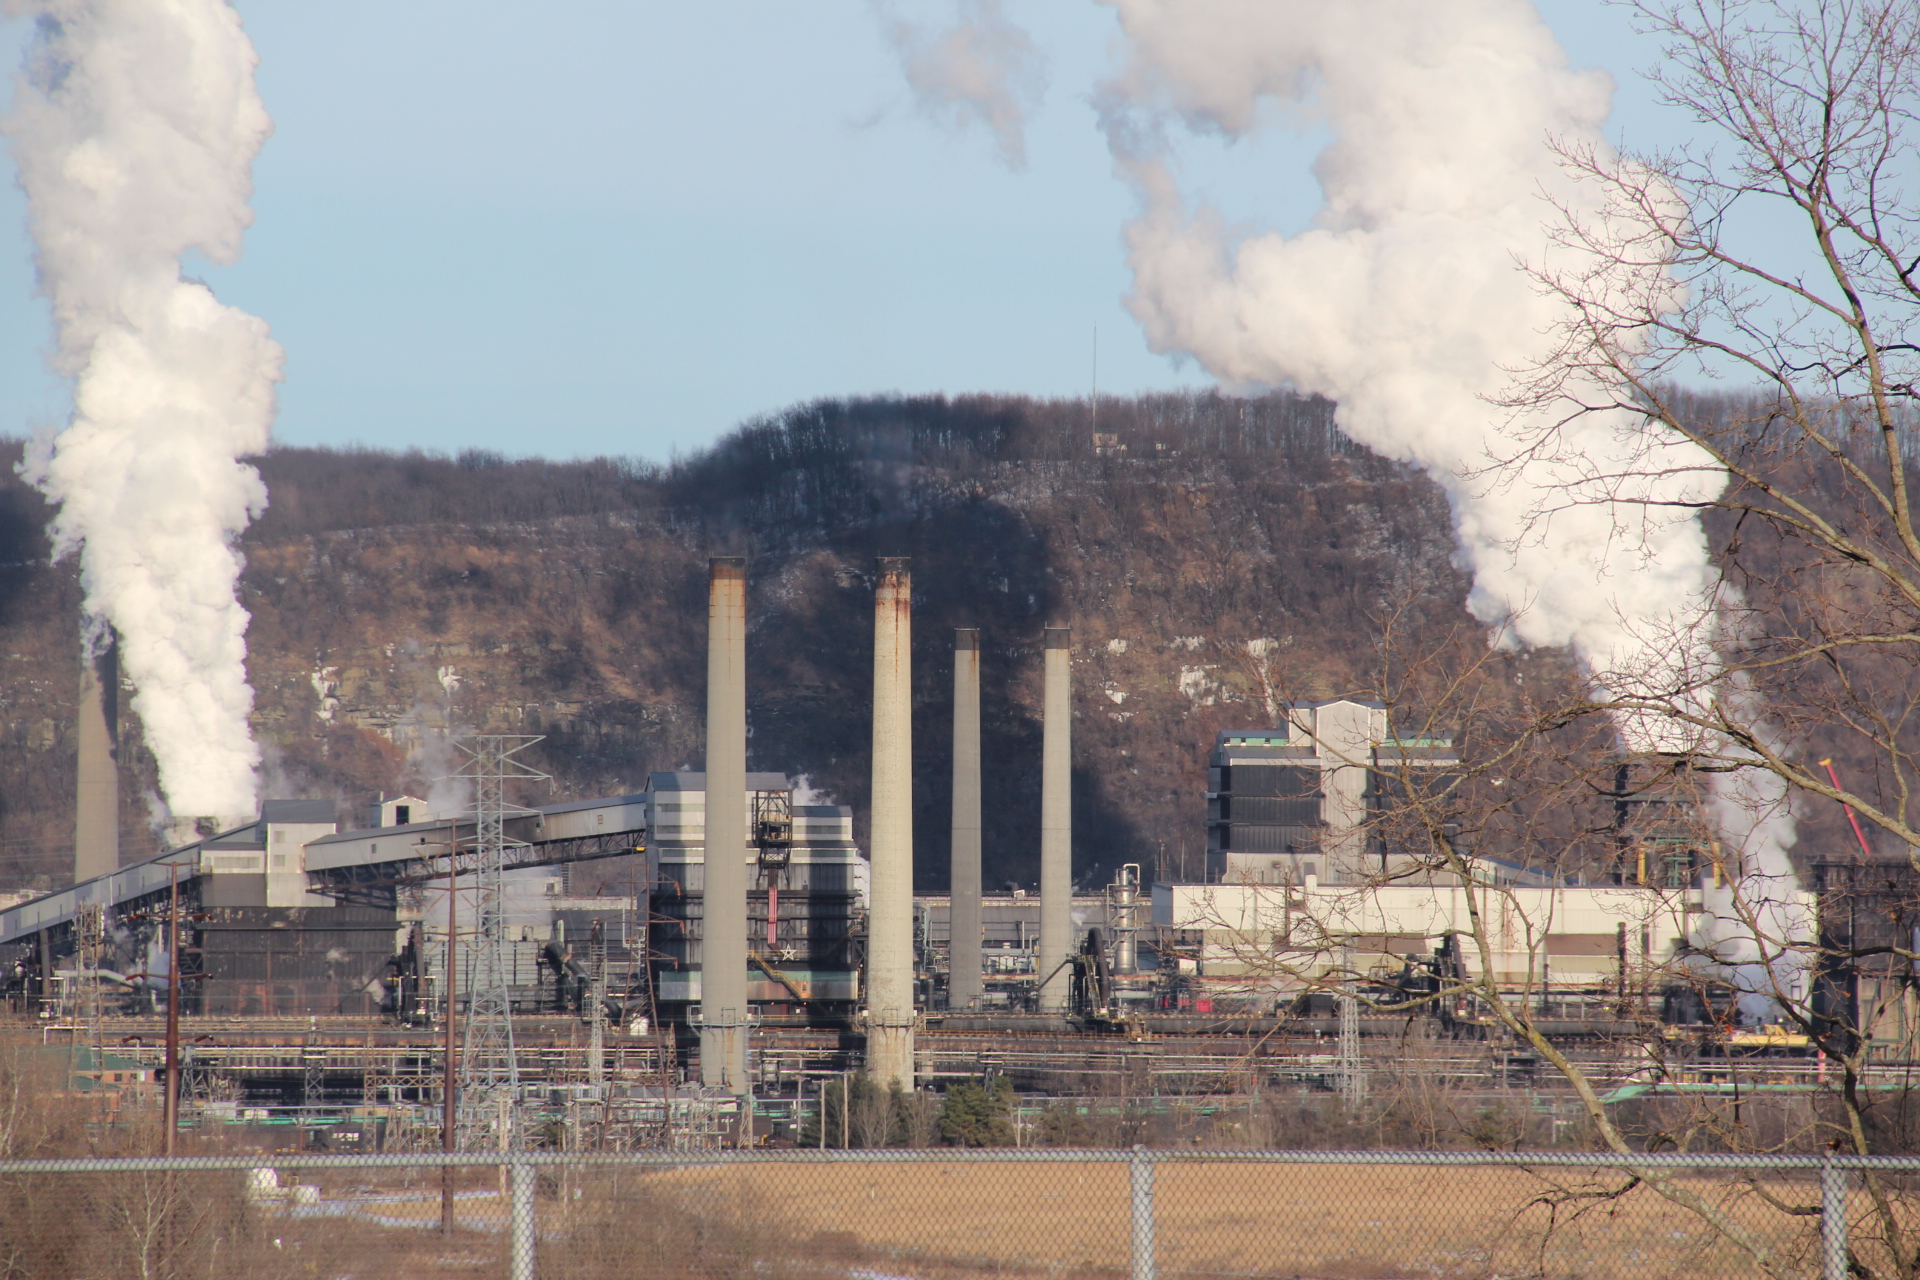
{"x": 1314, "y": 888}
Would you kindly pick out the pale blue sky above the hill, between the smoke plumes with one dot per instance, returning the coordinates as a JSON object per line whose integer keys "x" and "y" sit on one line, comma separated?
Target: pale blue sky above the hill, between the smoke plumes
{"x": 627, "y": 231}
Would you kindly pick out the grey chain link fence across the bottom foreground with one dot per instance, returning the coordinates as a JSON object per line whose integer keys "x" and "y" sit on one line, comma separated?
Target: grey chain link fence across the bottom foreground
{"x": 942, "y": 1214}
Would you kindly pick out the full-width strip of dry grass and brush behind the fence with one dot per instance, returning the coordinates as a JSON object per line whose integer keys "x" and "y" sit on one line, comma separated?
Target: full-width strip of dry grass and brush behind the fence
{"x": 934, "y": 1220}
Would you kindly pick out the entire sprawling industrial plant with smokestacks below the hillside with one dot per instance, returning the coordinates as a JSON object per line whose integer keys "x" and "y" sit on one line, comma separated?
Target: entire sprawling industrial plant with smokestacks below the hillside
{"x": 588, "y": 968}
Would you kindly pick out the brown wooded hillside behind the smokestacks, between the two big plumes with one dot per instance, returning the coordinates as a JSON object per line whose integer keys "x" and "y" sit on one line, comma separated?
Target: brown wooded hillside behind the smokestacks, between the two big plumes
{"x": 1207, "y": 552}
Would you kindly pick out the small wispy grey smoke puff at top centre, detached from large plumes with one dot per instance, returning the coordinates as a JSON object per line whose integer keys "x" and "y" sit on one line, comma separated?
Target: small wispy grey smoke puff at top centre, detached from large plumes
{"x": 980, "y": 70}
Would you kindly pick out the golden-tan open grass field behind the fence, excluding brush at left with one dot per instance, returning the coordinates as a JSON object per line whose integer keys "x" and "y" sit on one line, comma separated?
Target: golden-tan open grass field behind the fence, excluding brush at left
{"x": 1059, "y": 1220}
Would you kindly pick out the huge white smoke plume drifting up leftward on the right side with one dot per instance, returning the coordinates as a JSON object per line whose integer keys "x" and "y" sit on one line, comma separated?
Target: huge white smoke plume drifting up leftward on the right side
{"x": 1406, "y": 304}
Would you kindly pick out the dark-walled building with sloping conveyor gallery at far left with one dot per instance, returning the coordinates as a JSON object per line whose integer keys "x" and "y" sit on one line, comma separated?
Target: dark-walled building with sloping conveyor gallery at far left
{"x": 291, "y": 916}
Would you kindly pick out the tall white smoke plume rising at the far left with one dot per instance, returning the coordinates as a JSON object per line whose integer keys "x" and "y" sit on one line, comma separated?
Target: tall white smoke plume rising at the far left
{"x": 135, "y": 128}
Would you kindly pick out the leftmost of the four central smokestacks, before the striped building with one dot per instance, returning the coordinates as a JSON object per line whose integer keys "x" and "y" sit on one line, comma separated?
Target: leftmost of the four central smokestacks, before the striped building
{"x": 725, "y": 895}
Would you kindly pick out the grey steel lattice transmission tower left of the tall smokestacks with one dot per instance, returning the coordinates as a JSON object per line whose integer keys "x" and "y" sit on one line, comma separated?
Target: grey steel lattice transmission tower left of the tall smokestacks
{"x": 491, "y": 1078}
